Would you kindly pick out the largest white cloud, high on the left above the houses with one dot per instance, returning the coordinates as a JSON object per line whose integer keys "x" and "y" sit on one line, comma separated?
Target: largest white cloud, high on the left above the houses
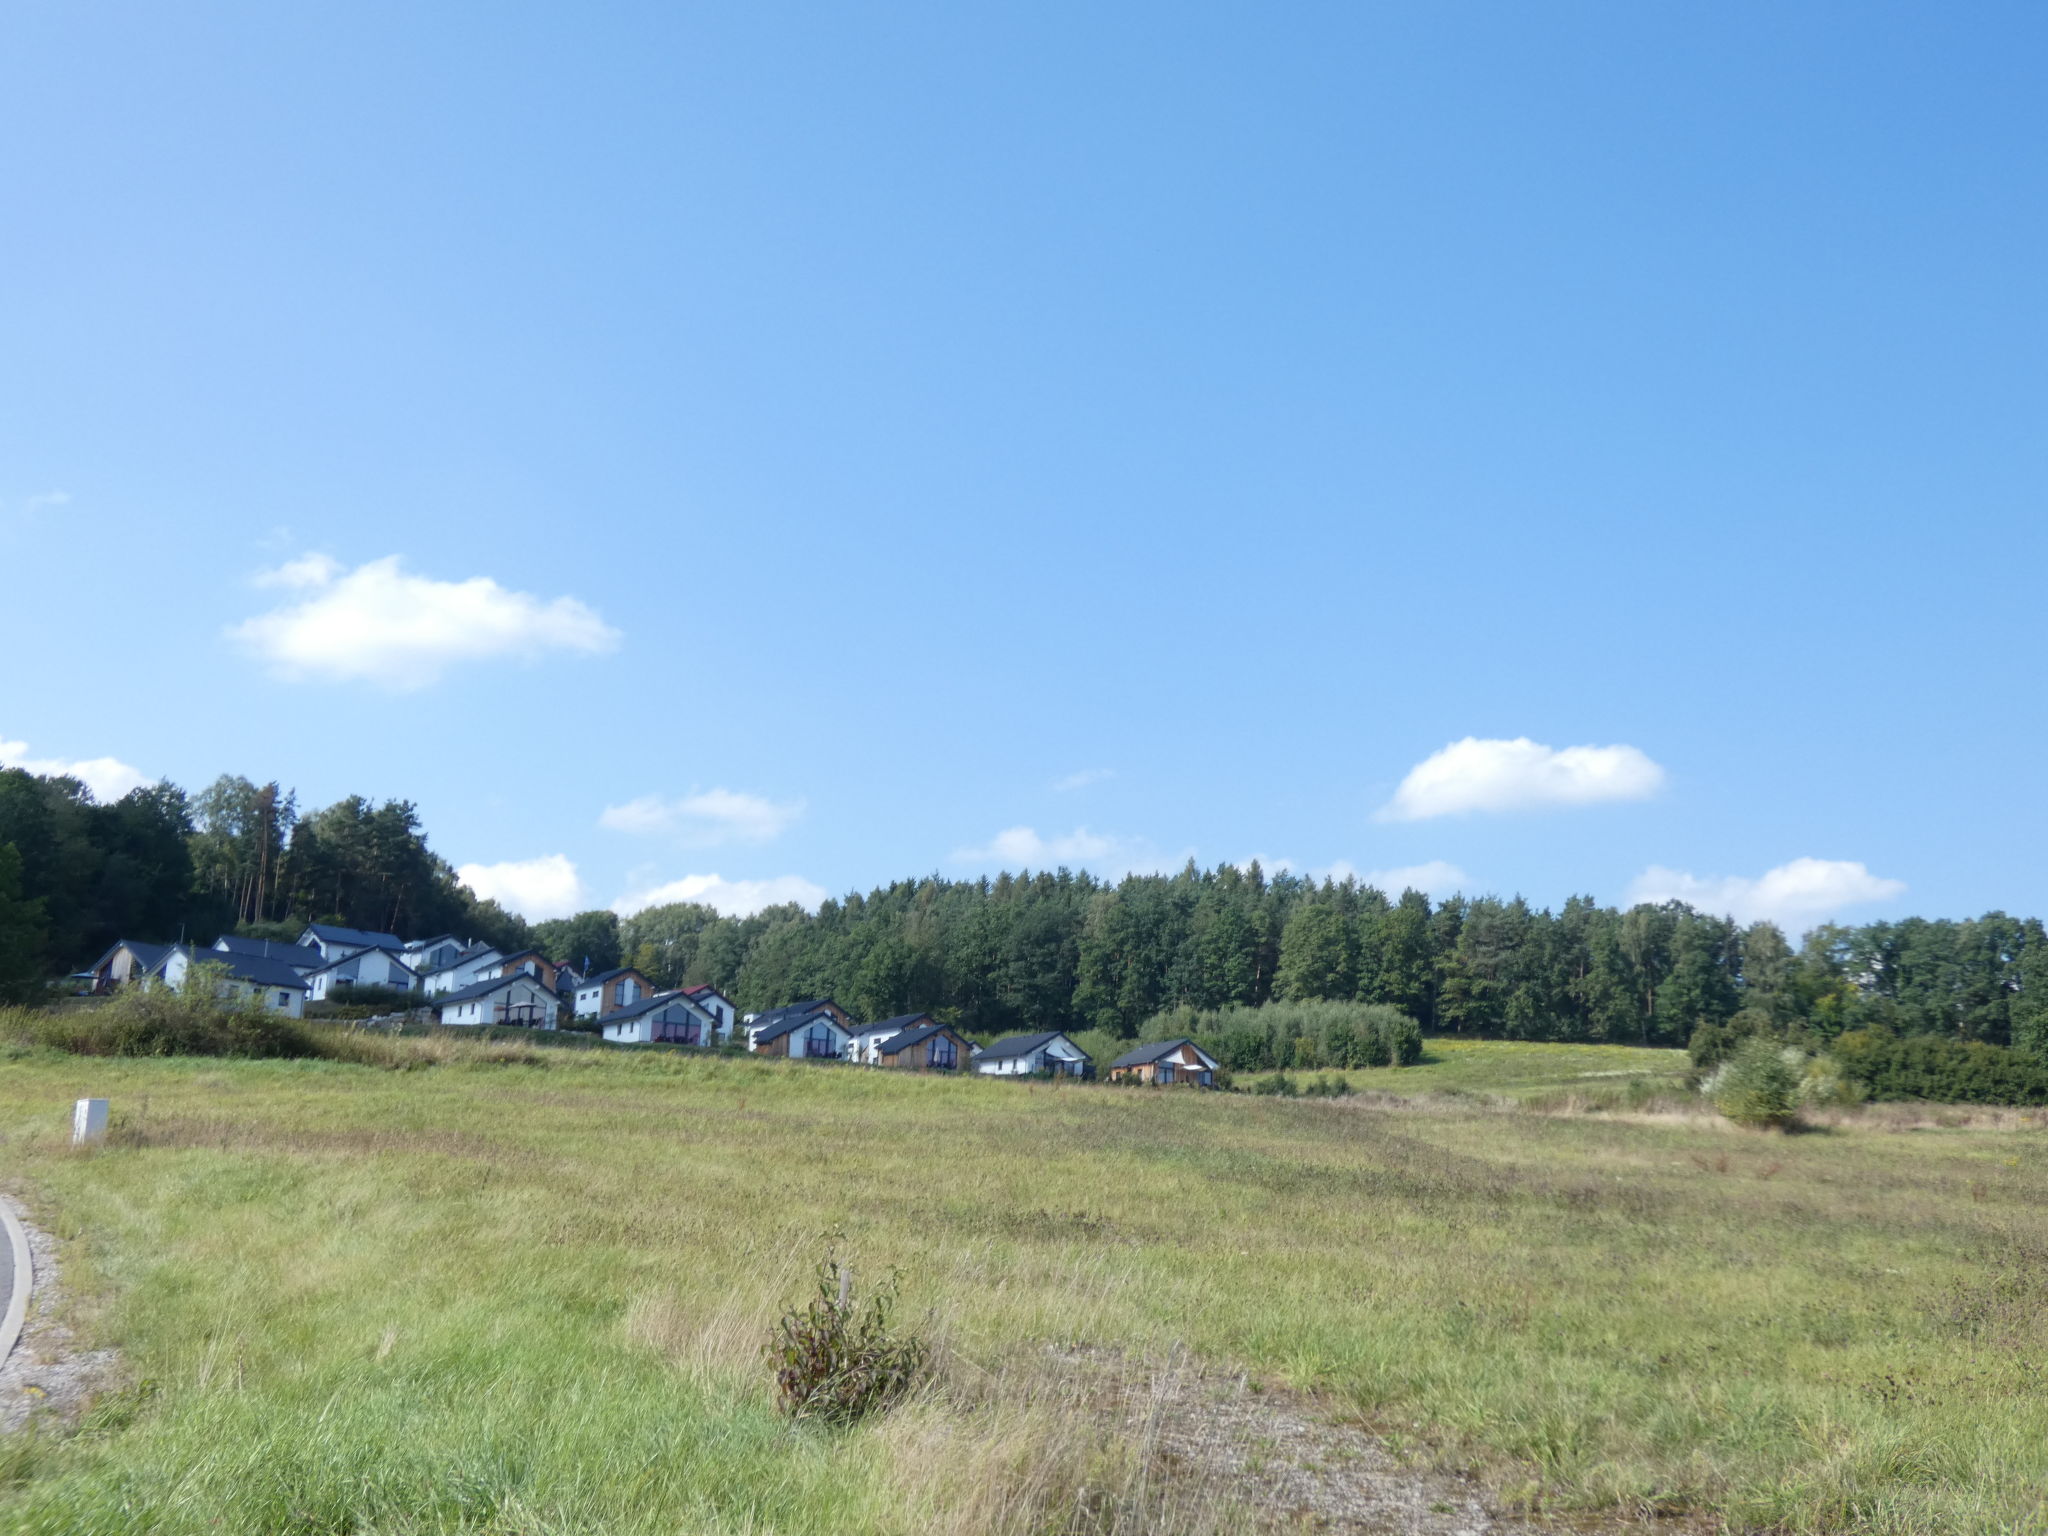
{"x": 380, "y": 624}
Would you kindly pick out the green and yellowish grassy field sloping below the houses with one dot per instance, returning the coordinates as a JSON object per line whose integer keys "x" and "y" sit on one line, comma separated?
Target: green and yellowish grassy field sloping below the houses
{"x": 499, "y": 1297}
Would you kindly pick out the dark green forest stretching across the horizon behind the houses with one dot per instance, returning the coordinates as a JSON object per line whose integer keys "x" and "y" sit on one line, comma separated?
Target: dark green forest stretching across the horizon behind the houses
{"x": 1029, "y": 951}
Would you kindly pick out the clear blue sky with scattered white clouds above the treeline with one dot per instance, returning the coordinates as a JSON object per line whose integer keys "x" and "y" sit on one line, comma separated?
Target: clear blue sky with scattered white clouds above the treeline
{"x": 812, "y": 445}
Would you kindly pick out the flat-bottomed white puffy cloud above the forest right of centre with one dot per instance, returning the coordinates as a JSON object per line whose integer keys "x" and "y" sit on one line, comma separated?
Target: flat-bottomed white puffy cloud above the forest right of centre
{"x": 1478, "y": 775}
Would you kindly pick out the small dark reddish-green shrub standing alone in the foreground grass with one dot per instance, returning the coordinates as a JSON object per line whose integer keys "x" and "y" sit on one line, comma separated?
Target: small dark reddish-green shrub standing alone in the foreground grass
{"x": 839, "y": 1359}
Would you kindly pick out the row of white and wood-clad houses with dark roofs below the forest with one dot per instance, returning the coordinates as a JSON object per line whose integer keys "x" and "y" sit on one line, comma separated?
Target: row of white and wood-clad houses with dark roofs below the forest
{"x": 484, "y": 986}
